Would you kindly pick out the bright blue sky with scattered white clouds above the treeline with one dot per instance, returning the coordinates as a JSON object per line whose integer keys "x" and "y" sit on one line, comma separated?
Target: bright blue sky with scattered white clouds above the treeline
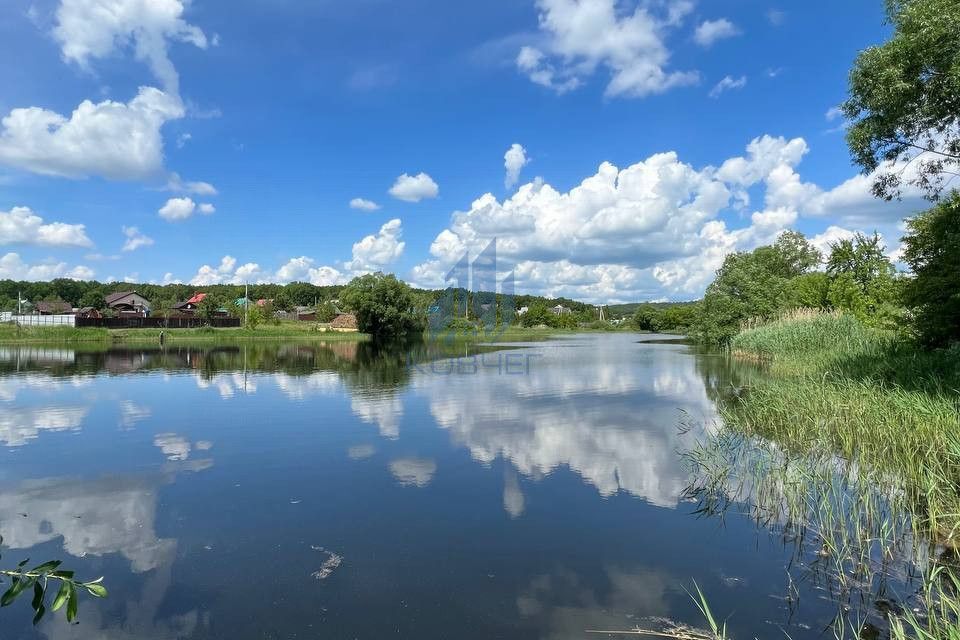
{"x": 224, "y": 141}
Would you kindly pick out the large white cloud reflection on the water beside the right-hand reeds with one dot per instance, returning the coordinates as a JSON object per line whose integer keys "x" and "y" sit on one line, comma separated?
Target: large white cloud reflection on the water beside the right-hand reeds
{"x": 615, "y": 423}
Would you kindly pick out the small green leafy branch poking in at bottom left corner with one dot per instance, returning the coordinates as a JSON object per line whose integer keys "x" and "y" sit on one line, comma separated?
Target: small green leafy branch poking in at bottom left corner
{"x": 39, "y": 579}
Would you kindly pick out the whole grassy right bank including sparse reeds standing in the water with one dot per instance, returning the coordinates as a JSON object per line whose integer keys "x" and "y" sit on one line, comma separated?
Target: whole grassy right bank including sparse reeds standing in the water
{"x": 854, "y": 434}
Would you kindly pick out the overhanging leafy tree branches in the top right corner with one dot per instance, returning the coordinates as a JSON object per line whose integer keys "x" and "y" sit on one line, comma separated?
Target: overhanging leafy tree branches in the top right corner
{"x": 904, "y": 102}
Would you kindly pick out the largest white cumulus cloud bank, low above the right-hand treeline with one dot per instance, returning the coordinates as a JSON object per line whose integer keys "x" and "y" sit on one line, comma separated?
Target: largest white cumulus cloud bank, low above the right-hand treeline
{"x": 656, "y": 229}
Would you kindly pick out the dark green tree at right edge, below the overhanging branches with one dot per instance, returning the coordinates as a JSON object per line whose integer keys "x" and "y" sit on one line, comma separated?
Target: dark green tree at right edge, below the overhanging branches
{"x": 932, "y": 249}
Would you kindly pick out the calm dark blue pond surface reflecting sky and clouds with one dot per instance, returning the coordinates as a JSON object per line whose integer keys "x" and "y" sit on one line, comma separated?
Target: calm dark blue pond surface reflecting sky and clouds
{"x": 341, "y": 491}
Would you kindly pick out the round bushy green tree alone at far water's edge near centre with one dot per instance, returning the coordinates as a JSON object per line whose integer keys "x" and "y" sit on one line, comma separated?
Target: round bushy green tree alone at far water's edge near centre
{"x": 384, "y": 306}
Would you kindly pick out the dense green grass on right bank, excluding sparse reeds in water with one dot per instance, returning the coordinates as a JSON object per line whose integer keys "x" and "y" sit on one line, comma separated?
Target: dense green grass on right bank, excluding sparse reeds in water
{"x": 868, "y": 396}
